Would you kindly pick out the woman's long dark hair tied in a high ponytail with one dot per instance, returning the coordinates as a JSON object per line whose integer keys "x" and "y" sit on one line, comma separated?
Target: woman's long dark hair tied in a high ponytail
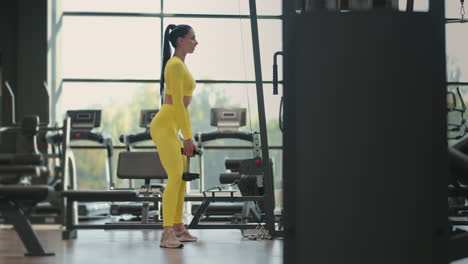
{"x": 170, "y": 36}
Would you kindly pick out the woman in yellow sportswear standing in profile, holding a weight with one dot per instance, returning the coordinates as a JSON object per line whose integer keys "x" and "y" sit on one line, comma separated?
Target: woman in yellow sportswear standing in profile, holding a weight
{"x": 172, "y": 117}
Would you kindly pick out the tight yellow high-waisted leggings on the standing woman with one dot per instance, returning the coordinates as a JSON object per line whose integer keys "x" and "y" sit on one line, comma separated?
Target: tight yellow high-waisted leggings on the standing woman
{"x": 164, "y": 132}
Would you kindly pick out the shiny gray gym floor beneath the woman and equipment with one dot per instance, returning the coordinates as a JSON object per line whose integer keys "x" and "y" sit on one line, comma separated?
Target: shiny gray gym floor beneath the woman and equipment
{"x": 141, "y": 246}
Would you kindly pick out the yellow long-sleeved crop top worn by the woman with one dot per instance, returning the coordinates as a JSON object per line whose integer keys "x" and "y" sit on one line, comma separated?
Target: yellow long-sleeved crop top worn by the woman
{"x": 179, "y": 83}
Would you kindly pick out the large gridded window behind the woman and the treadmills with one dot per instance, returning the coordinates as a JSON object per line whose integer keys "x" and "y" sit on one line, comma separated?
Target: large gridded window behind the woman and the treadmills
{"x": 111, "y": 60}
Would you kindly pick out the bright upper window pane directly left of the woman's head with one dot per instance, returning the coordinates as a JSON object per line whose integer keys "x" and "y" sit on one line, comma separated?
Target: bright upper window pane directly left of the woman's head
{"x": 111, "y": 47}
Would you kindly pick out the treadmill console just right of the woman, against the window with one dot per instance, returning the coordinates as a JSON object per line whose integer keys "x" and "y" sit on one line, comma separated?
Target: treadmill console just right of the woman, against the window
{"x": 228, "y": 119}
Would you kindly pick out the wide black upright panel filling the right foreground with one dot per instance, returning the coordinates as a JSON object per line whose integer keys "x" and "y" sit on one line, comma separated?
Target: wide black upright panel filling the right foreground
{"x": 365, "y": 161}
